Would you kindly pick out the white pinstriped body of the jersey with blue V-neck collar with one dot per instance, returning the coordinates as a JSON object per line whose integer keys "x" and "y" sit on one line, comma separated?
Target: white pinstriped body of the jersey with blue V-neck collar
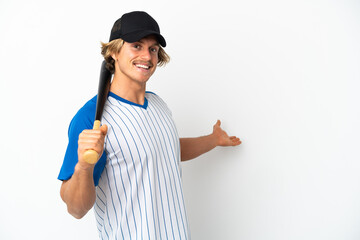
{"x": 139, "y": 195}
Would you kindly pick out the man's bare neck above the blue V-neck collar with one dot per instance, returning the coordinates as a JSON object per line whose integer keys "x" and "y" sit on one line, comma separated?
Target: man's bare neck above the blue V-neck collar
{"x": 129, "y": 90}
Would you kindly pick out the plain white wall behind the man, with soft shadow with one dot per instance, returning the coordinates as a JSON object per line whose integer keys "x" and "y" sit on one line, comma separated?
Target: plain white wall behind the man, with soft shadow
{"x": 282, "y": 75}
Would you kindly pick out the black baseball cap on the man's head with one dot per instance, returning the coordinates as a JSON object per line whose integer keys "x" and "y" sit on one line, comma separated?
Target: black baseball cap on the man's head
{"x": 133, "y": 26}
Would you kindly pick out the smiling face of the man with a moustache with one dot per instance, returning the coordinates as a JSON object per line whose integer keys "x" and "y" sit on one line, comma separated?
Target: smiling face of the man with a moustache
{"x": 137, "y": 61}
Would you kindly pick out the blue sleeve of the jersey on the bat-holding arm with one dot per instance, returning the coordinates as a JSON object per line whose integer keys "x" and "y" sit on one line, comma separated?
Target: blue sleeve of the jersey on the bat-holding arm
{"x": 83, "y": 119}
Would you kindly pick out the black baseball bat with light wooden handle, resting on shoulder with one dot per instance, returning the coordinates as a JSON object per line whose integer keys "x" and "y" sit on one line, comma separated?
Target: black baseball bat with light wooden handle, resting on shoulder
{"x": 91, "y": 156}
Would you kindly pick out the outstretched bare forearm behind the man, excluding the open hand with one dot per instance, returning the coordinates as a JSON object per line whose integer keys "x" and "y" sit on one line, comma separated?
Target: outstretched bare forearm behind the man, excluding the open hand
{"x": 194, "y": 147}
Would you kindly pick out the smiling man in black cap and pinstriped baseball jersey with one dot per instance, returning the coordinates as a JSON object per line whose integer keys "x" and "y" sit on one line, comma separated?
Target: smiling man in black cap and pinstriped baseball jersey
{"x": 135, "y": 187}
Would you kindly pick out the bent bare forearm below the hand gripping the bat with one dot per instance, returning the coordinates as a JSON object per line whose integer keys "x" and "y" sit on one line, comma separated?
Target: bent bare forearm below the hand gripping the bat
{"x": 79, "y": 191}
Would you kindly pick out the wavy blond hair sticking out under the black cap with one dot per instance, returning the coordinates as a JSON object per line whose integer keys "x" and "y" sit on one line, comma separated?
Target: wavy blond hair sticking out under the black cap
{"x": 107, "y": 49}
